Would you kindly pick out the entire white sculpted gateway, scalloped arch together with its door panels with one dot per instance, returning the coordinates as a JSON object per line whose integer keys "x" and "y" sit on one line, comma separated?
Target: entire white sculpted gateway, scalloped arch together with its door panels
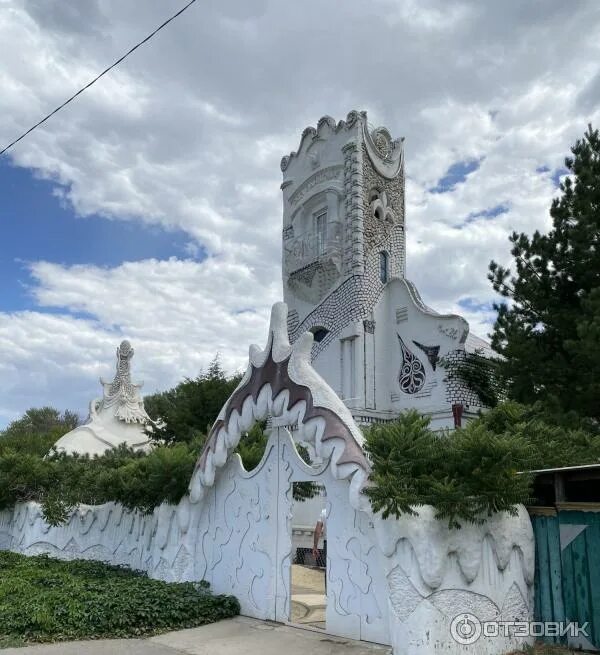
{"x": 244, "y": 542}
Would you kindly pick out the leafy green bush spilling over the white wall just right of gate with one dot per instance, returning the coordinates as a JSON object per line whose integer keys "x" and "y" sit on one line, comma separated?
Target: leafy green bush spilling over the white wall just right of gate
{"x": 464, "y": 475}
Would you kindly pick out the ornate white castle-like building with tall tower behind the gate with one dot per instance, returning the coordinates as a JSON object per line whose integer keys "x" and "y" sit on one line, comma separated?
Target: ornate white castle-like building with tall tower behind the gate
{"x": 344, "y": 259}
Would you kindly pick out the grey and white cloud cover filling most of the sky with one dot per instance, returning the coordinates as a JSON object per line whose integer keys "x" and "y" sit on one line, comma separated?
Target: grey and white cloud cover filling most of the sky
{"x": 188, "y": 134}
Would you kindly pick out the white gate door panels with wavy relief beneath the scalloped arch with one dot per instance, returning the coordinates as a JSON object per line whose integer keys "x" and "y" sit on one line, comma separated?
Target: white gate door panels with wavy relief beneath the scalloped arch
{"x": 244, "y": 543}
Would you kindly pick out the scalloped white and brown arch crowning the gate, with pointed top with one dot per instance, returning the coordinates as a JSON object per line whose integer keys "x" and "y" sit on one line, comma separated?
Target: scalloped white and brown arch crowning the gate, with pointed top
{"x": 281, "y": 382}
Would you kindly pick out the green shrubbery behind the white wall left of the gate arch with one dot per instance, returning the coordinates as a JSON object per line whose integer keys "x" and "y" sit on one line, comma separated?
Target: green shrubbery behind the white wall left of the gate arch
{"x": 60, "y": 482}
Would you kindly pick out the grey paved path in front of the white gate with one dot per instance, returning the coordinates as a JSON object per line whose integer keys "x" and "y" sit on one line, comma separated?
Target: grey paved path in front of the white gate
{"x": 239, "y": 636}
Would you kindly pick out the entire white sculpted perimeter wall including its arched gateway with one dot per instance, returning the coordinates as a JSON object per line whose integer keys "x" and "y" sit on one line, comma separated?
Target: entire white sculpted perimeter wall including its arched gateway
{"x": 399, "y": 582}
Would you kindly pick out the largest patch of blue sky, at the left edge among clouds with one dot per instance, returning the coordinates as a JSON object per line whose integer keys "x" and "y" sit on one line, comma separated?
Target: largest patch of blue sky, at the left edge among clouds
{"x": 38, "y": 225}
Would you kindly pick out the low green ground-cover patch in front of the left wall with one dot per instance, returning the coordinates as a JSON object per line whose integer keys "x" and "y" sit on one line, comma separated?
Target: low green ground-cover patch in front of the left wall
{"x": 44, "y": 599}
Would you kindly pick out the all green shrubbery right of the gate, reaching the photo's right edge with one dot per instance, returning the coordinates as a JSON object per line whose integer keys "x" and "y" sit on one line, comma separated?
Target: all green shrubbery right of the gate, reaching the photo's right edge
{"x": 477, "y": 470}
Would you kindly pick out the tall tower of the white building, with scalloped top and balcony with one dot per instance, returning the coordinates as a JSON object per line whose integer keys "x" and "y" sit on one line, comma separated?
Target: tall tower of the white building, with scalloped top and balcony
{"x": 343, "y": 222}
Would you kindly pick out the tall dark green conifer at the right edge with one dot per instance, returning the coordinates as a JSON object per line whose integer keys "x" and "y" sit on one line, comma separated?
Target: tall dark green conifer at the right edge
{"x": 549, "y": 331}
